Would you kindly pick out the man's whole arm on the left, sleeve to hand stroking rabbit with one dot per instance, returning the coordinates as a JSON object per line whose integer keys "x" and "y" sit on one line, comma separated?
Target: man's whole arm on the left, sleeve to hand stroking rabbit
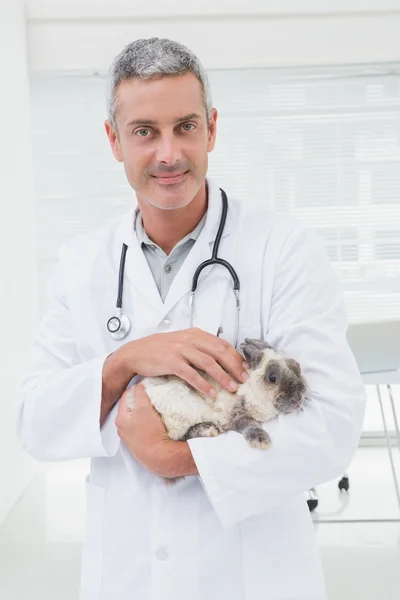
{"x": 63, "y": 404}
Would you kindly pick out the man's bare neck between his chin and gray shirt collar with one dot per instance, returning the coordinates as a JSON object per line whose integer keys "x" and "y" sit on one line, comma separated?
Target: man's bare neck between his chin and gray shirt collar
{"x": 168, "y": 227}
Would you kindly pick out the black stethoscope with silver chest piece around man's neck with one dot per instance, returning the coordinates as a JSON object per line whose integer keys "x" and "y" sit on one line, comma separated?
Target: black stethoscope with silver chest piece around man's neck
{"x": 119, "y": 325}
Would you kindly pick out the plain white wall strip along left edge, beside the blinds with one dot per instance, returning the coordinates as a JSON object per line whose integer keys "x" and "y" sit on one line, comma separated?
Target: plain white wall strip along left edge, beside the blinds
{"x": 17, "y": 257}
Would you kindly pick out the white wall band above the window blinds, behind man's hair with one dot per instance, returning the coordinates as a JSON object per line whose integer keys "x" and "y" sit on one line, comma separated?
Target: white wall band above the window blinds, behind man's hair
{"x": 86, "y": 34}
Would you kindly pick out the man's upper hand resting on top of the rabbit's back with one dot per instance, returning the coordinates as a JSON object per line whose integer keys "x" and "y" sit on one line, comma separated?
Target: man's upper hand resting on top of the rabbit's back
{"x": 176, "y": 353}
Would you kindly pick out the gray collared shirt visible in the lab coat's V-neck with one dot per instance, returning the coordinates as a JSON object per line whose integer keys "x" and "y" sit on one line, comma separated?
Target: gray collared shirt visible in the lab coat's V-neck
{"x": 164, "y": 267}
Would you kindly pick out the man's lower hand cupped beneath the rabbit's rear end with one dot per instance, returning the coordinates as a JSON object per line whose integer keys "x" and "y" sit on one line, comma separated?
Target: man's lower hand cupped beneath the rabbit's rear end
{"x": 143, "y": 433}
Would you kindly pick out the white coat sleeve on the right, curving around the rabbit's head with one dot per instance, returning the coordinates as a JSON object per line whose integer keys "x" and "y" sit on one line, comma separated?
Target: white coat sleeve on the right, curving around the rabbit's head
{"x": 307, "y": 322}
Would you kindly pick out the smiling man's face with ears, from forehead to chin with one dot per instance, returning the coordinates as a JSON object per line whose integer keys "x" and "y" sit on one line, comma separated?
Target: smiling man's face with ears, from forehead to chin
{"x": 163, "y": 138}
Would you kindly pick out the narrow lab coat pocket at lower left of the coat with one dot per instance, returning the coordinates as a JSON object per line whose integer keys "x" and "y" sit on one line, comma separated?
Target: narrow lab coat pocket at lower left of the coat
{"x": 92, "y": 554}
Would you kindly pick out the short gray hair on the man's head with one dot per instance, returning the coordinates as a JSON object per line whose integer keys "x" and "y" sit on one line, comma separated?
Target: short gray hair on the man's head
{"x": 151, "y": 59}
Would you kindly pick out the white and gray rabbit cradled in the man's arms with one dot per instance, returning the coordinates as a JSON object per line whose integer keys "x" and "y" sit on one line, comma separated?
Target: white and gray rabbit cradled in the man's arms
{"x": 275, "y": 385}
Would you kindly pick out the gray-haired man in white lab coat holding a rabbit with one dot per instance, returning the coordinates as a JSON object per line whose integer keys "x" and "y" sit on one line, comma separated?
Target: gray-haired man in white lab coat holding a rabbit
{"x": 237, "y": 526}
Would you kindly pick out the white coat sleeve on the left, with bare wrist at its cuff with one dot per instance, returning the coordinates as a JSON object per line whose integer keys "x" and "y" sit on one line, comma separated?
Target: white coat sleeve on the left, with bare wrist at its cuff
{"x": 58, "y": 405}
